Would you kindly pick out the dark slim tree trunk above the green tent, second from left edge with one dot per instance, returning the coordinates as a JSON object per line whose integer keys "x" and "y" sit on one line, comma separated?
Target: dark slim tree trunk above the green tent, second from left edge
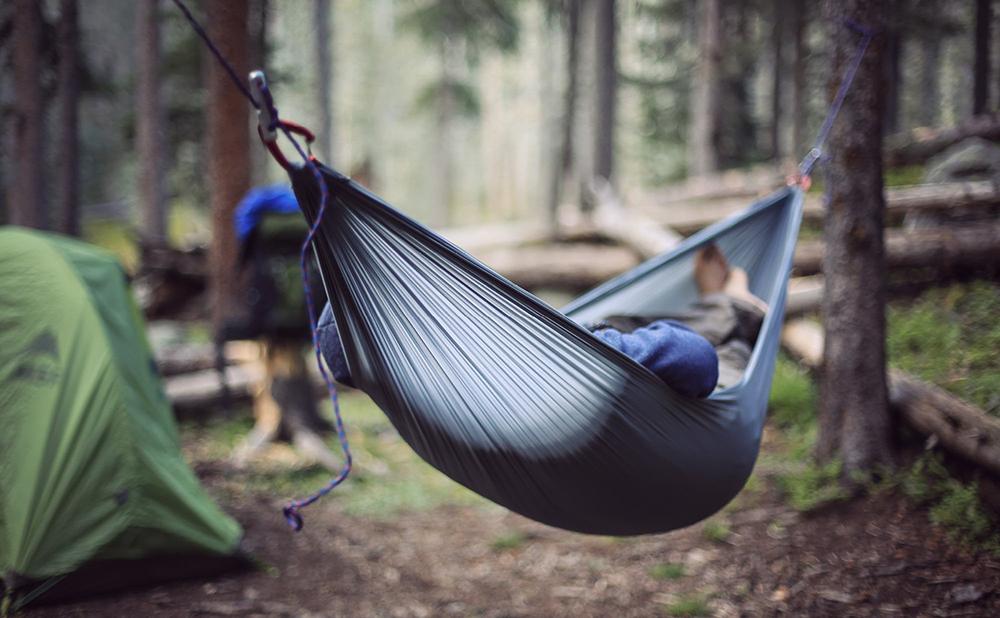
{"x": 69, "y": 142}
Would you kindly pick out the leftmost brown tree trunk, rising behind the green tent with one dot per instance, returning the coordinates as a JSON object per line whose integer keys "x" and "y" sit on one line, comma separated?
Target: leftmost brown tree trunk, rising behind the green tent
{"x": 28, "y": 205}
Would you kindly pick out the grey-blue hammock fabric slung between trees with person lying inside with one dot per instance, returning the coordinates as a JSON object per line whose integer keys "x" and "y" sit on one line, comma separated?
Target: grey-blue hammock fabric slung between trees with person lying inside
{"x": 518, "y": 401}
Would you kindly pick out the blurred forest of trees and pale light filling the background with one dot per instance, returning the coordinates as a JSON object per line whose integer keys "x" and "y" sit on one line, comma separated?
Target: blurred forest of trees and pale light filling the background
{"x": 456, "y": 112}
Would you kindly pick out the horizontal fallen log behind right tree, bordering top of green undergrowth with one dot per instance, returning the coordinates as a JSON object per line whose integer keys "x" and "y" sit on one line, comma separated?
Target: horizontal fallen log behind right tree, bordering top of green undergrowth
{"x": 945, "y": 246}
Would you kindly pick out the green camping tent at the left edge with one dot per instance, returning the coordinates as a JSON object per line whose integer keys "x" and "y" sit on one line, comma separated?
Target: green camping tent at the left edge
{"x": 94, "y": 492}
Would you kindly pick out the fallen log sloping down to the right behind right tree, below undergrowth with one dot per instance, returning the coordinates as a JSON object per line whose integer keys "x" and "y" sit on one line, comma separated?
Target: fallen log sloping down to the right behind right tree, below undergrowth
{"x": 957, "y": 426}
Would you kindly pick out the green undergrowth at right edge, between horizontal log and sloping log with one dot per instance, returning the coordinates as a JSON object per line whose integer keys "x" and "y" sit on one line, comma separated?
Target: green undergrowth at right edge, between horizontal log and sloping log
{"x": 949, "y": 336}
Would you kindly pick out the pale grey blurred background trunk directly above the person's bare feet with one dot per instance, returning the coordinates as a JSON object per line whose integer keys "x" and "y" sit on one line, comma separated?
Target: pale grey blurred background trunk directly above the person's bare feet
{"x": 703, "y": 155}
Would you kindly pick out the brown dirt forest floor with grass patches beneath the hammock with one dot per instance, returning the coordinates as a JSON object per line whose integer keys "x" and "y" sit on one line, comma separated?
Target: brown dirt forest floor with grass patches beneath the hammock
{"x": 400, "y": 540}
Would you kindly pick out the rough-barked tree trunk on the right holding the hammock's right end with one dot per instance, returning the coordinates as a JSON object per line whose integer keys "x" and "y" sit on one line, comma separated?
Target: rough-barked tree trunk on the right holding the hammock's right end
{"x": 854, "y": 407}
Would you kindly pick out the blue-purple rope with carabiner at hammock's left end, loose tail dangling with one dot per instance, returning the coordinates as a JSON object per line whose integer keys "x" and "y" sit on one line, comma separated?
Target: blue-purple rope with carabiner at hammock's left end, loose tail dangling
{"x": 269, "y": 112}
